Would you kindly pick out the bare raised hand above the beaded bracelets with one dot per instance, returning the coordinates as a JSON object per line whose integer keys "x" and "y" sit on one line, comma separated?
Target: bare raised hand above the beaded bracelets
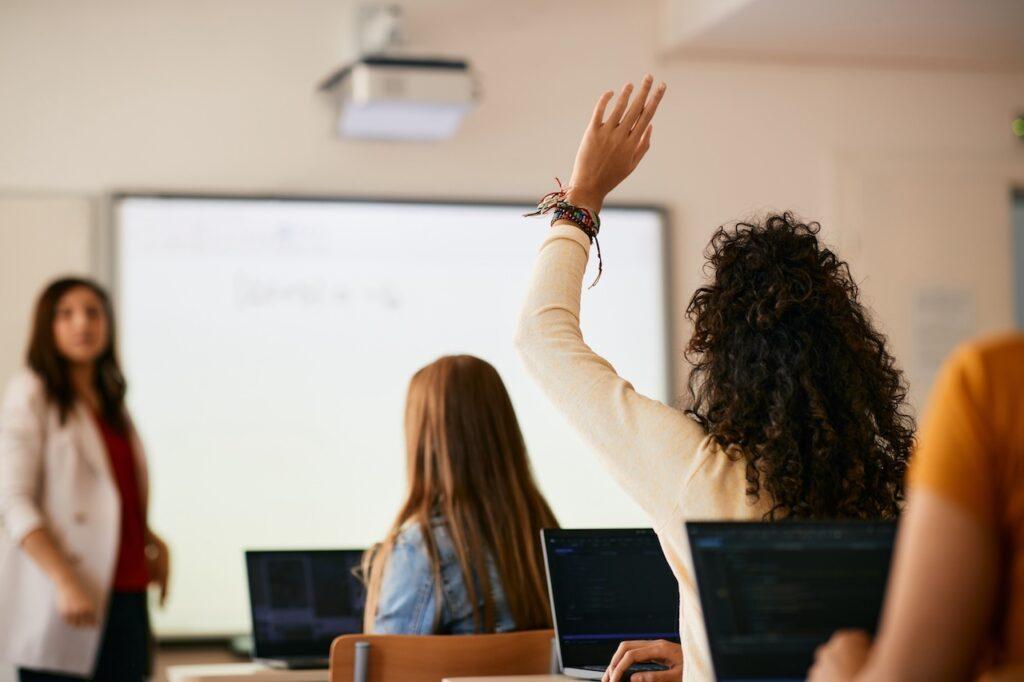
{"x": 614, "y": 146}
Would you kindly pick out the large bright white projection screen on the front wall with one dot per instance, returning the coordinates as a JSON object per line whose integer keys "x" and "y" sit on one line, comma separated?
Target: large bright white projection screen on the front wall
{"x": 269, "y": 346}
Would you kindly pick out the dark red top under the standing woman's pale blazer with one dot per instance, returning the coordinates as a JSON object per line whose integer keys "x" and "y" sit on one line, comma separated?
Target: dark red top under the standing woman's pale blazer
{"x": 132, "y": 574}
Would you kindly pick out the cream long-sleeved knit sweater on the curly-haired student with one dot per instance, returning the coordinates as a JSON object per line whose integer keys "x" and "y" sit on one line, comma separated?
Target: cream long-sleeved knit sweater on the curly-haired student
{"x": 662, "y": 458}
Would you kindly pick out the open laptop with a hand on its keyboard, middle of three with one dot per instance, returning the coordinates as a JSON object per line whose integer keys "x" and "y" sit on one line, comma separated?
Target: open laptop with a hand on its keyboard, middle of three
{"x": 608, "y": 586}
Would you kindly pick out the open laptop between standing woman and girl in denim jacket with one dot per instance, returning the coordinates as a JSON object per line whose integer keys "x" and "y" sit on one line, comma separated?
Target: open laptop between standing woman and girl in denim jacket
{"x": 301, "y": 602}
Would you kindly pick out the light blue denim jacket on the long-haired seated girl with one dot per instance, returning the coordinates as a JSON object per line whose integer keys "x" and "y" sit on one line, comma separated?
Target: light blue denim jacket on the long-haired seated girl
{"x": 409, "y": 598}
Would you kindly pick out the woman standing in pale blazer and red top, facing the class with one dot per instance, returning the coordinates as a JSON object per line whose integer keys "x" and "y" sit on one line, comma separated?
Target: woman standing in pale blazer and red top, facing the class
{"x": 78, "y": 555}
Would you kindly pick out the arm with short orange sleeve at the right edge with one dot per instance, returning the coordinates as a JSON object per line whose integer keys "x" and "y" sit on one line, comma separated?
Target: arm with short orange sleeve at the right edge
{"x": 943, "y": 587}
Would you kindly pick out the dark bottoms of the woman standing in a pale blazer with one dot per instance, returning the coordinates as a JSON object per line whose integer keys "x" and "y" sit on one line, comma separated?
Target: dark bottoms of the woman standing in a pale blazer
{"x": 124, "y": 648}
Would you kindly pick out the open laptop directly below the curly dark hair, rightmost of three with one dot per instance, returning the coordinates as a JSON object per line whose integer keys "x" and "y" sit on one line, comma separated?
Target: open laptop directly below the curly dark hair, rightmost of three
{"x": 772, "y": 593}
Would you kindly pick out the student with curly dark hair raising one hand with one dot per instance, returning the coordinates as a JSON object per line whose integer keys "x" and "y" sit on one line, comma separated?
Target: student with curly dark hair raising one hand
{"x": 797, "y": 408}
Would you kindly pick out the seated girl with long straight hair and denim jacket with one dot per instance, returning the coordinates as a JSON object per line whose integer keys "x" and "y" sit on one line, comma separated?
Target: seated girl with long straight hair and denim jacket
{"x": 464, "y": 553}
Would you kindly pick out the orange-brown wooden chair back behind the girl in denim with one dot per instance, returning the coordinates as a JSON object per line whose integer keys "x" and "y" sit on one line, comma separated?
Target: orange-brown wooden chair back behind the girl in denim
{"x": 433, "y": 658}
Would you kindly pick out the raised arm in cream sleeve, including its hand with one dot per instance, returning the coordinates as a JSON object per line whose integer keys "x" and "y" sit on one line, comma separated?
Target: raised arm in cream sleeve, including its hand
{"x": 642, "y": 441}
